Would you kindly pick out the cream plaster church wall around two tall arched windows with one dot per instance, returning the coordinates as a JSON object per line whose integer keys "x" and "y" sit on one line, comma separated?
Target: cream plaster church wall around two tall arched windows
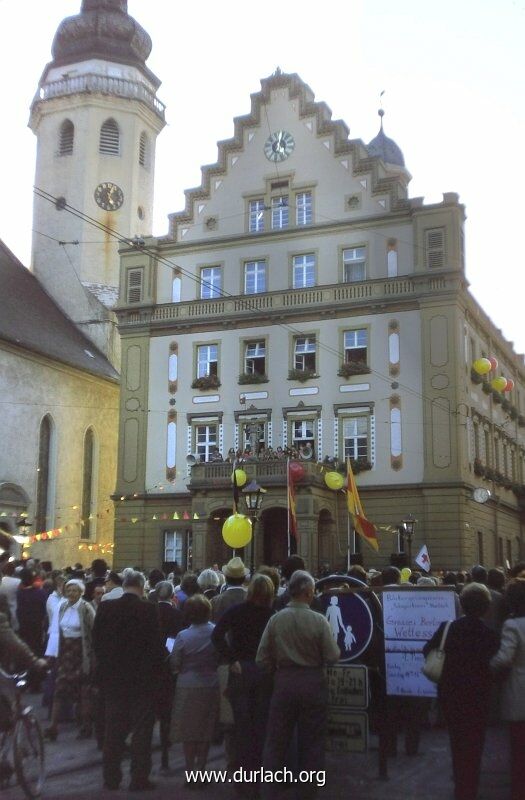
{"x": 32, "y": 387}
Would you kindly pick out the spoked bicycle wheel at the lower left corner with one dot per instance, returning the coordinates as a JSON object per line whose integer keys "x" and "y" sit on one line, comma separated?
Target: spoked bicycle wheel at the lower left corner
{"x": 28, "y": 755}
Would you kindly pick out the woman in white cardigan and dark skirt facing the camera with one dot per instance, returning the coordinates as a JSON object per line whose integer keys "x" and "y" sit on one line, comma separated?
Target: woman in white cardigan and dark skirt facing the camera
{"x": 70, "y": 643}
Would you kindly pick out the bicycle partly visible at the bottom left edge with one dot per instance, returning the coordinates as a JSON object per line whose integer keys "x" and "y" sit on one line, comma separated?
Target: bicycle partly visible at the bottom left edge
{"x": 21, "y": 740}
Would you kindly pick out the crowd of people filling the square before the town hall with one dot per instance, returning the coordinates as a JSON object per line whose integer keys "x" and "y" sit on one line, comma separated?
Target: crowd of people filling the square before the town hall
{"x": 225, "y": 656}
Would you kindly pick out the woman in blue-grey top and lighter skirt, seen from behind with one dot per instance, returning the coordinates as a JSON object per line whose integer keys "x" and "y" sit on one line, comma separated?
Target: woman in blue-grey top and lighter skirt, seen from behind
{"x": 194, "y": 661}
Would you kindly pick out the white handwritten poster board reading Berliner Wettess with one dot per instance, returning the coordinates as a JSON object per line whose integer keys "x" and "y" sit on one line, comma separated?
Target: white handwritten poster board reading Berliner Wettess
{"x": 410, "y": 618}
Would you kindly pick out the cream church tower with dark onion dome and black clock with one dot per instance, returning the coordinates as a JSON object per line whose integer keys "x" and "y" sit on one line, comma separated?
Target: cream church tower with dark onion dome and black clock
{"x": 96, "y": 117}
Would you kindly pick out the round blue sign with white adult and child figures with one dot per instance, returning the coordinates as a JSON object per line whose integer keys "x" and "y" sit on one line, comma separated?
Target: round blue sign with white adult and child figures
{"x": 351, "y": 623}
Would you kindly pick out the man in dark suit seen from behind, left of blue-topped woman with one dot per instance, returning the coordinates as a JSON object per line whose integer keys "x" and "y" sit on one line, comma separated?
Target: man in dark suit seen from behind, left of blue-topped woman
{"x": 130, "y": 657}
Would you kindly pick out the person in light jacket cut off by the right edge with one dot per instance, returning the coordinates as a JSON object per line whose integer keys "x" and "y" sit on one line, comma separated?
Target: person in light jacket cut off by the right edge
{"x": 510, "y": 661}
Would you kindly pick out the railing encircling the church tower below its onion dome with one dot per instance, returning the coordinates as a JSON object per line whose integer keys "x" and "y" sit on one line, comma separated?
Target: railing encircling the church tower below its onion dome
{"x": 103, "y": 84}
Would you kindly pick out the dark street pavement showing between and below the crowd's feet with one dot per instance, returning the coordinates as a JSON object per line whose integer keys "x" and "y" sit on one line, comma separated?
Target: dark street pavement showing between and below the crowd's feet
{"x": 74, "y": 771}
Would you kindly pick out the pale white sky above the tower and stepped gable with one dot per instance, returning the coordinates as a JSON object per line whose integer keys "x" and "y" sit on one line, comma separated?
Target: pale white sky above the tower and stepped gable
{"x": 452, "y": 73}
